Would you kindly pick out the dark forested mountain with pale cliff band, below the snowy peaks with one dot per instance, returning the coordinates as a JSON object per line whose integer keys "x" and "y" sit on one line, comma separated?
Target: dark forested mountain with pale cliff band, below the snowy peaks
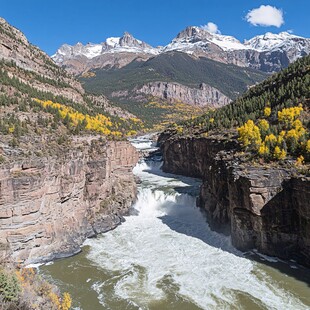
{"x": 172, "y": 77}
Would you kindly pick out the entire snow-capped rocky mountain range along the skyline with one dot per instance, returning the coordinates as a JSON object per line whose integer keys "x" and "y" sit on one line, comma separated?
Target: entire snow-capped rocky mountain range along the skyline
{"x": 268, "y": 52}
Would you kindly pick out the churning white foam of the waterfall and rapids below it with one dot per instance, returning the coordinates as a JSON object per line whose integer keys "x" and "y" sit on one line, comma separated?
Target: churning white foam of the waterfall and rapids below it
{"x": 170, "y": 238}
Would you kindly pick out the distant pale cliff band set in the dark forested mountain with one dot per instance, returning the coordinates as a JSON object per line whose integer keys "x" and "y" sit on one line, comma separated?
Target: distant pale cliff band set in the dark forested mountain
{"x": 204, "y": 96}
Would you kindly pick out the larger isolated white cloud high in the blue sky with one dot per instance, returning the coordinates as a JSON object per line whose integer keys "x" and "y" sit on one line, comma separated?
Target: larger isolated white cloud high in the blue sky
{"x": 265, "y": 15}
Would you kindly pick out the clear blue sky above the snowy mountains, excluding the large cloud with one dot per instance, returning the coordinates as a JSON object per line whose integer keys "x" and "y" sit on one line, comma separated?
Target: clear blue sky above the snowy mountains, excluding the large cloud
{"x": 48, "y": 24}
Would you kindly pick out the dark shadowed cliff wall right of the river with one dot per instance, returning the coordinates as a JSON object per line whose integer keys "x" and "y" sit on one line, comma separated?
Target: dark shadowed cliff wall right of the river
{"x": 266, "y": 209}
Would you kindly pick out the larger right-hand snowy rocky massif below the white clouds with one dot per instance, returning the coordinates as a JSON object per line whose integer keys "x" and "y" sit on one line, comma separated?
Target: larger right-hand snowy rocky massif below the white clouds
{"x": 268, "y": 52}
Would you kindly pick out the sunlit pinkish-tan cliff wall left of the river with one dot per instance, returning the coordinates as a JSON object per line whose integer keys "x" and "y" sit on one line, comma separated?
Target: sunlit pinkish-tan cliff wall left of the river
{"x": 49, "y": 206}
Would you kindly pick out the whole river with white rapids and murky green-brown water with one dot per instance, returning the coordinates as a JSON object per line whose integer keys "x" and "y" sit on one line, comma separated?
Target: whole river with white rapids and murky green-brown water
{"x": 164, "y": 256}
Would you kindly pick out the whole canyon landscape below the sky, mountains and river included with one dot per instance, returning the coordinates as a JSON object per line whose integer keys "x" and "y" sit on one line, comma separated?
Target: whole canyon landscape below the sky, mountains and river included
{"x": 169, "y": 177}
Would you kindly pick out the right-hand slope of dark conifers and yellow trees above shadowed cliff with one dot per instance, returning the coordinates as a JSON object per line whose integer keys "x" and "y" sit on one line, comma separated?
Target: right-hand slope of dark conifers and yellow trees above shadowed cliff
{"x": 271, "y": 116}
